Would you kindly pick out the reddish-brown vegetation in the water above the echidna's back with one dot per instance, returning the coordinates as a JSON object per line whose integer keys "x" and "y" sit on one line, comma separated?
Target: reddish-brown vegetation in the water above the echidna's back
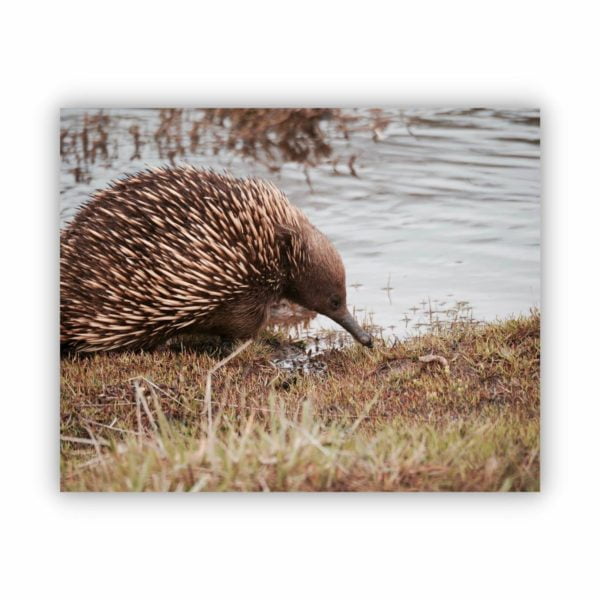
{"x": 268, "y": 136}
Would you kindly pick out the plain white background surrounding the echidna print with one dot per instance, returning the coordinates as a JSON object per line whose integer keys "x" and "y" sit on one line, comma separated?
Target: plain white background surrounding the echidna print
{"x": 280, "y": 54}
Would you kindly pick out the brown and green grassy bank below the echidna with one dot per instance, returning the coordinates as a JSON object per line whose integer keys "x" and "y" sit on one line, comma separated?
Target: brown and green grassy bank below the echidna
{"x": 376, "y": 419}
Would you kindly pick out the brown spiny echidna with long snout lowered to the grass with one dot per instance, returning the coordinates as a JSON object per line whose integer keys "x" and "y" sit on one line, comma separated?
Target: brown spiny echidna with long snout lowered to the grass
{"x": 170, "y": 251}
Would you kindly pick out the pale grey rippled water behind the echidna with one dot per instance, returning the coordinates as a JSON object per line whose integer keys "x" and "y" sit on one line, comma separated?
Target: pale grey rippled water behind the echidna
{"x": 445, "y": 208}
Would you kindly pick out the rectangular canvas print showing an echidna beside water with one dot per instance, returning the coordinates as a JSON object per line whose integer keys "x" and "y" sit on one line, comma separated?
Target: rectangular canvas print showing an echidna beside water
{"x": 300, "y": 299}
